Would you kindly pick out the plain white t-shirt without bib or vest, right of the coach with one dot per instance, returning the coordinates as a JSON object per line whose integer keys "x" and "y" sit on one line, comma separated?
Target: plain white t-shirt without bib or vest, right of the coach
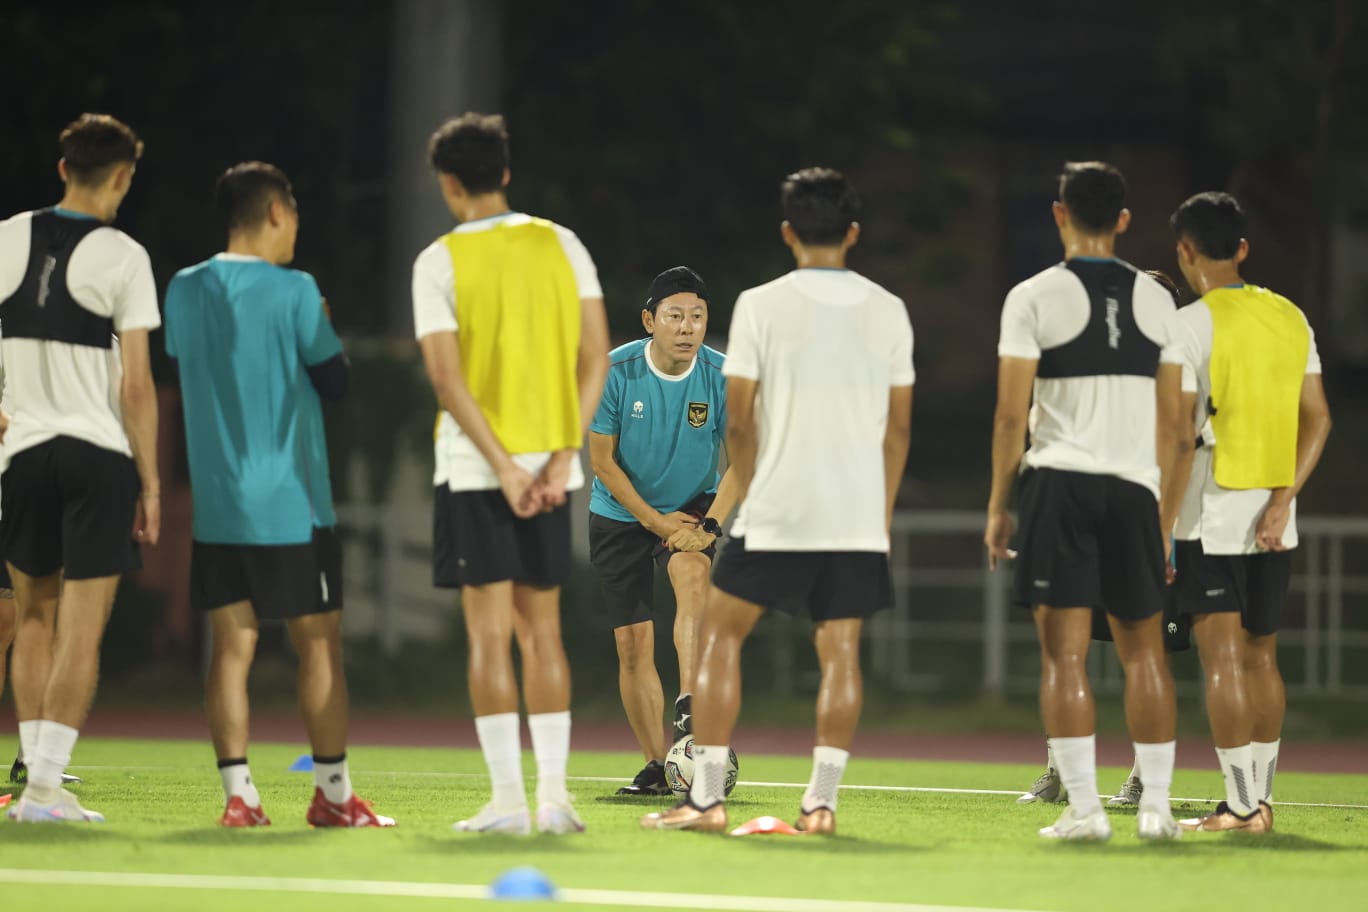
{"x": 826, "y": 345}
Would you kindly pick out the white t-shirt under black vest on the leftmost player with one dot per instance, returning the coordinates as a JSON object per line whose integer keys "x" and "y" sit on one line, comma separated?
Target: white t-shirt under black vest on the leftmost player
{"x": 58, "y": 389}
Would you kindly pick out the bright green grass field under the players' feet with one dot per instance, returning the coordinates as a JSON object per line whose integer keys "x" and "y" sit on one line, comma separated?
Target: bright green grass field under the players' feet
{"x": 921, "y": 850}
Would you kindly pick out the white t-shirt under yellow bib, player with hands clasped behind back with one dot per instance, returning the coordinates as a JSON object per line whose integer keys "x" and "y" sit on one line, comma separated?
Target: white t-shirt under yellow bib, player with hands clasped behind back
{"x": 459, "y": 464}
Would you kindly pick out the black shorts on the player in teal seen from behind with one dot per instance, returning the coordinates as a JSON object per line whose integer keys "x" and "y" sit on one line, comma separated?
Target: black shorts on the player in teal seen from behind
{"x": 281, "y": 582}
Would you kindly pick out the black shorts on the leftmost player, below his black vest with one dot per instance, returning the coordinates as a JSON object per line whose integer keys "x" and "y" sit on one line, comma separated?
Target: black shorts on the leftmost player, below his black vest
{"x": 69, "y": 507}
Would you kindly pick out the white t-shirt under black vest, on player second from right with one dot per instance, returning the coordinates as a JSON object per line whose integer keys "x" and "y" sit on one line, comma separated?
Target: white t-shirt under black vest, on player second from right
{"x": 1094, "y": 407}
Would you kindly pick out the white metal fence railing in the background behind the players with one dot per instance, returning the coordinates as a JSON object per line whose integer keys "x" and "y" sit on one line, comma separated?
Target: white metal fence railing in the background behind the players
{"x": 953, "y": 626}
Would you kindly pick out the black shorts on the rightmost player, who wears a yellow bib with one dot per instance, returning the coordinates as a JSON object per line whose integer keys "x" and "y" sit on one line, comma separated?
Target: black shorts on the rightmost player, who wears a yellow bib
{"x": 1252, "y": 585}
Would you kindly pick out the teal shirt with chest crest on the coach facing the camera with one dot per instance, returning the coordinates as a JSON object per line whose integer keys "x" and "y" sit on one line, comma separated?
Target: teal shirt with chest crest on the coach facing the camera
{"x": 670, "y": 430}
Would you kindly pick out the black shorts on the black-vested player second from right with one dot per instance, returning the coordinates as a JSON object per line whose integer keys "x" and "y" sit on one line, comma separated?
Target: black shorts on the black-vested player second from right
{"x": 1090, "y": 541}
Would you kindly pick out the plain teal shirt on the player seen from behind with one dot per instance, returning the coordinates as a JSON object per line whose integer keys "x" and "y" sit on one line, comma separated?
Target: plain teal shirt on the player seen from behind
{"x": 244, "y": 333}
